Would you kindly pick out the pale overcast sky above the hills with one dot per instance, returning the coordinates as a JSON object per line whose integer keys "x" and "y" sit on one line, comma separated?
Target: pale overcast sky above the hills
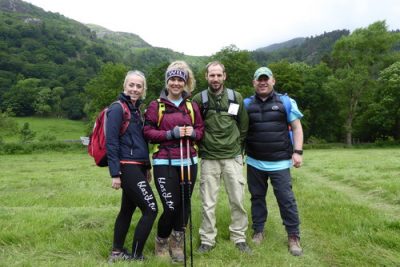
{"x": 203, "y": 27}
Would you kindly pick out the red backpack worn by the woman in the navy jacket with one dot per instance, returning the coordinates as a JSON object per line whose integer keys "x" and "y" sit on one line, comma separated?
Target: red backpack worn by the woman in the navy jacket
{"x": 97, "y": 139}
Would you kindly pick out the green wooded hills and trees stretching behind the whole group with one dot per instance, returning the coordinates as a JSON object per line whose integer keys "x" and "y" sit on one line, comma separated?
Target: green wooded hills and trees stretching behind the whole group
{"x": 347, "y": 84}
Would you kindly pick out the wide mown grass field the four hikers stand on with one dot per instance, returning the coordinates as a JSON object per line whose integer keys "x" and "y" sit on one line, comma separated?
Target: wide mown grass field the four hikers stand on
{"x": 58, "y": 209}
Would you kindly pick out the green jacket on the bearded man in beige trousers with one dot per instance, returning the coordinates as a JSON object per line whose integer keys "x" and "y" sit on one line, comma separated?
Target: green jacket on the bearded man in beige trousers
{"x": 224, "y": 136}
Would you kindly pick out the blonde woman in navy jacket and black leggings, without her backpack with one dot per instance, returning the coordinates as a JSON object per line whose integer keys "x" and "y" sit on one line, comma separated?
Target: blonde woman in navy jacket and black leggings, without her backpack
{"x": 129, "y": 165}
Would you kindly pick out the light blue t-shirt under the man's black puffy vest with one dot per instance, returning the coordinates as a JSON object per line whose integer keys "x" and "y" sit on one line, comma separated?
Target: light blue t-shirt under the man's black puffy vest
{"x": 264, "y": 165}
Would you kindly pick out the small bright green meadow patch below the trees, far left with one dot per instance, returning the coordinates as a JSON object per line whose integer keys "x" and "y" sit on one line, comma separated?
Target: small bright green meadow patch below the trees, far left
{"x": 62, "y": 129}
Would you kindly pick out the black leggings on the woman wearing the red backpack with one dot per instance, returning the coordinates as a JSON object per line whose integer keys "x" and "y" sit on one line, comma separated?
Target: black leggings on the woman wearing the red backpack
{"x": 136, "y": 192}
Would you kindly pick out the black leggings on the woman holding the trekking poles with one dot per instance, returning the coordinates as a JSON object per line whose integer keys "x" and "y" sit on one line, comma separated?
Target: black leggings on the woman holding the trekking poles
{"x": 168, "y": 183}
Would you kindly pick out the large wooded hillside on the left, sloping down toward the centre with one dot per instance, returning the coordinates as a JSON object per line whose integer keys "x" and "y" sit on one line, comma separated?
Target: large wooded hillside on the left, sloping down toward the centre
{"x": 47, "y": 59}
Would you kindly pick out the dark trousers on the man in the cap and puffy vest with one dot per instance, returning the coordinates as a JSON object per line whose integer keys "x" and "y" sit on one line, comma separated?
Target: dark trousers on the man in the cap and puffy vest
{"x": 282, "y": 184}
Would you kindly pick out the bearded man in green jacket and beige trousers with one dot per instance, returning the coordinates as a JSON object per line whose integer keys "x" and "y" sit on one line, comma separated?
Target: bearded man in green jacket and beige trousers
{"x": 221, "y": 151}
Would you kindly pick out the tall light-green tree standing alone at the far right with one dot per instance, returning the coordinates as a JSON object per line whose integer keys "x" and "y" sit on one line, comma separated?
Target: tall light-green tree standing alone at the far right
{"x": 357, "y": 60}
